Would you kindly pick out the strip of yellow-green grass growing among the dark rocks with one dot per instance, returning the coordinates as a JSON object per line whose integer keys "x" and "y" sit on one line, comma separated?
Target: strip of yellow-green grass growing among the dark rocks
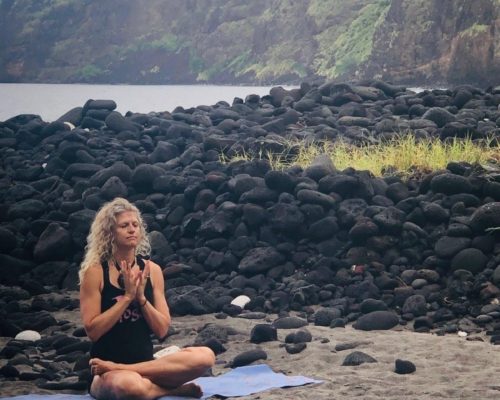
{"x": 403, "y": 155}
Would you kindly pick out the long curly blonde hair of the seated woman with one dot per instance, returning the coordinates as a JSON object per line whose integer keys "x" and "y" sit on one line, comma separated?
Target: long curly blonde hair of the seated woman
{"x": 100, "y": 240}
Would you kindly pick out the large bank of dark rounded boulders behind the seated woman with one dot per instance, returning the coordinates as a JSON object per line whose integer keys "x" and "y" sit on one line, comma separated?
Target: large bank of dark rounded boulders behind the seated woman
{"x": 379, "y": 251}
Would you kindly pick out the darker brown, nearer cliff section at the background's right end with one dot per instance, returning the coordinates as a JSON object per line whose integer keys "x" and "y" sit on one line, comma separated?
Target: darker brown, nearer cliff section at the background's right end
{"x": 447, "y": 41}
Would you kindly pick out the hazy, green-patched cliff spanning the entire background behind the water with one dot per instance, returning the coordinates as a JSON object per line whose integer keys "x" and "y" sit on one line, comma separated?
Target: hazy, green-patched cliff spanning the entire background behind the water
{"x": 261, "y": 41}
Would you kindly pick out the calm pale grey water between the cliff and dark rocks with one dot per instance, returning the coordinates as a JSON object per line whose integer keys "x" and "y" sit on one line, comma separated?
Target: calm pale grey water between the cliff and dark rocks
{"x": 51, "y": 101}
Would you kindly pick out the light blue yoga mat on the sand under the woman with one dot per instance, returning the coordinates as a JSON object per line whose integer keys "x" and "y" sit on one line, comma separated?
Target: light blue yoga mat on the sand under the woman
{"x": 242, "y": 381}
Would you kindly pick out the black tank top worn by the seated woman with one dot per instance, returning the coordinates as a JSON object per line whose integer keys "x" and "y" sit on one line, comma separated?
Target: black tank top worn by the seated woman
{"x": 129, "y": 340}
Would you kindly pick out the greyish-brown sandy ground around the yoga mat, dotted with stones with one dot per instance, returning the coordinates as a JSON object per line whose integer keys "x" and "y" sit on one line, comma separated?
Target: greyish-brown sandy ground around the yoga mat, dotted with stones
{"x": 447, "y": 367}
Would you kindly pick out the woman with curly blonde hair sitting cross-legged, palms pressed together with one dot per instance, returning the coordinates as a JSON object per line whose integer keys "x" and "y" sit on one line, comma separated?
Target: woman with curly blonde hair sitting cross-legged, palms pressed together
{"x": 122, "y": 301}
